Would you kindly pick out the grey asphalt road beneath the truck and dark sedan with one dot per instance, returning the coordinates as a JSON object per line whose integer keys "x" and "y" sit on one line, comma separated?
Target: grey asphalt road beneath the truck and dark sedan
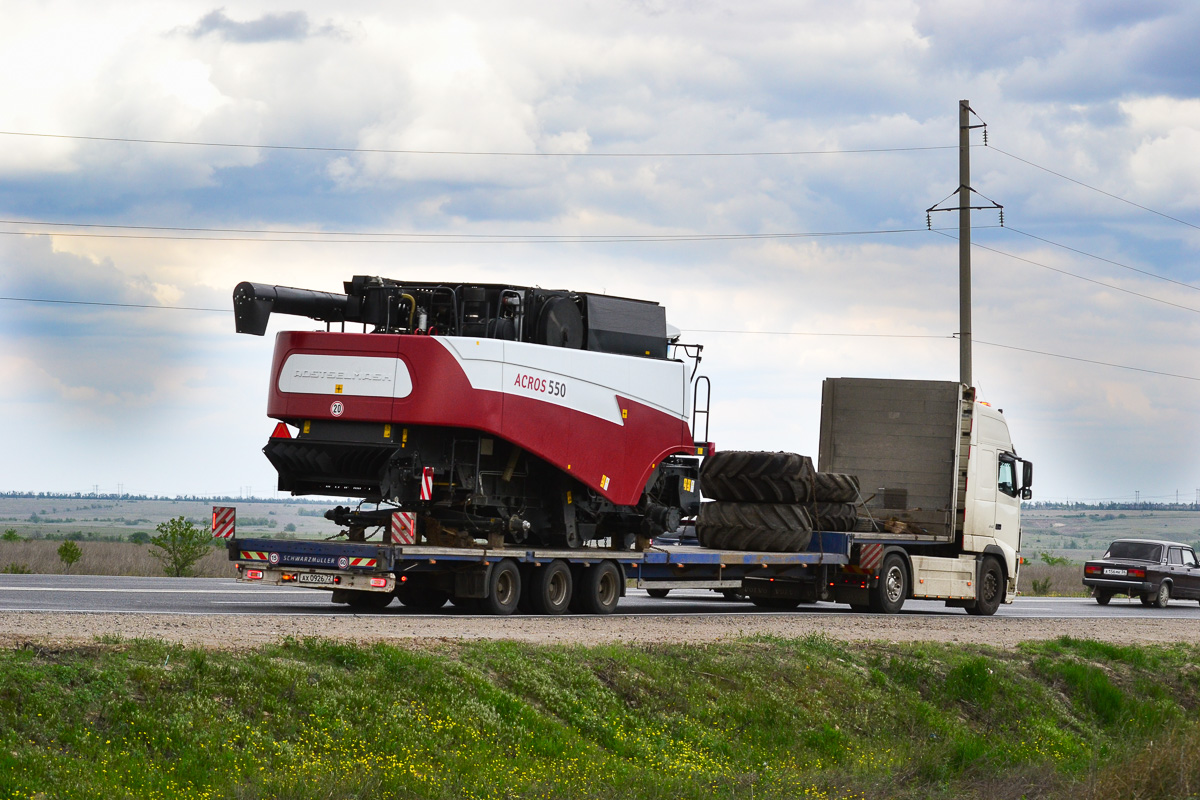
{"x": 224, "y": 597}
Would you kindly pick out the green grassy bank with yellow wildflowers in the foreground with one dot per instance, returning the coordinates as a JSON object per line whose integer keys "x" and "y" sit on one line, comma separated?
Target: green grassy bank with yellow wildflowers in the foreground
{"x": 758, "y": 718}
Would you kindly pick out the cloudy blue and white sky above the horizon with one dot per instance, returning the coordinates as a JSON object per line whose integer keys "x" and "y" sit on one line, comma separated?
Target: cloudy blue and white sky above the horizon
{"x": 657, "y": 123}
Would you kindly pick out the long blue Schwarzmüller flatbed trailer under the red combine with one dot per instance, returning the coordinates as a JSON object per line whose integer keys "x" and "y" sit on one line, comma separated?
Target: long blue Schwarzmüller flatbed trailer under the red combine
{"x": 506, "y": 579}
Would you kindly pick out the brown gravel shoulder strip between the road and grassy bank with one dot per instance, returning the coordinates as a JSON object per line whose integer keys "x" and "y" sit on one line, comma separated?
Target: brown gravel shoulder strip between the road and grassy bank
{"x": 236, "y": 633}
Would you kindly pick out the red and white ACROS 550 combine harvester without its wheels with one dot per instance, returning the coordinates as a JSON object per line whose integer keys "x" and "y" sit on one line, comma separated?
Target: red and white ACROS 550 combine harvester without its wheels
{"x": 518, "y": 414}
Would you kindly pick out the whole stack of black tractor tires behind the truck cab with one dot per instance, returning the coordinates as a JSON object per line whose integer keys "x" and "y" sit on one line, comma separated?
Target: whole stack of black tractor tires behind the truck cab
{"x": 771, "y": 502}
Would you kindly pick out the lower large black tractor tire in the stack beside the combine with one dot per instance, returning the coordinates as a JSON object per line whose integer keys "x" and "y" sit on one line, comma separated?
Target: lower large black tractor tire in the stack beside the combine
{"x": 769, "y": 527}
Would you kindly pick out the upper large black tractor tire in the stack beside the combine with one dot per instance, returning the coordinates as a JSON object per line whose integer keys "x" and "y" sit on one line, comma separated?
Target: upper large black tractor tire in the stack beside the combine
{"x": 747, "y": 477}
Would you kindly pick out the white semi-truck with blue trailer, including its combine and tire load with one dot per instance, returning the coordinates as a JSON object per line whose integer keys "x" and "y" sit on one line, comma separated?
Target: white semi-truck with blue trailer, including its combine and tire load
{"x": 517, "y": 449}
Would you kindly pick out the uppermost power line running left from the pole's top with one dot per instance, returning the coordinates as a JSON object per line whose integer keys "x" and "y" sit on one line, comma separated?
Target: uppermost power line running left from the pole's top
{"x": 477, "y": 153}
